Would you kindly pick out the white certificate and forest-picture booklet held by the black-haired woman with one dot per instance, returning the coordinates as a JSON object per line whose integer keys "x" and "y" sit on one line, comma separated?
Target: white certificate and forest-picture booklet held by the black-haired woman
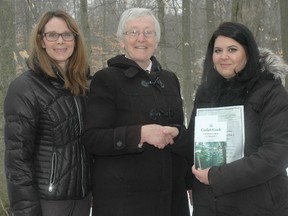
{"x": 232, "y": 148}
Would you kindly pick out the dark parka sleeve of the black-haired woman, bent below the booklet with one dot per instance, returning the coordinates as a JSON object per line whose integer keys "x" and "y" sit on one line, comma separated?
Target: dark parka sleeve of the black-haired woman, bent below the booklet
{"x": 269, "y": 157}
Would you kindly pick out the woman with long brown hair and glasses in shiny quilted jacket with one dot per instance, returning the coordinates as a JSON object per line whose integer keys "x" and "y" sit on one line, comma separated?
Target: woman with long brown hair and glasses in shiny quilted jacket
{"x": 47, "y": 167}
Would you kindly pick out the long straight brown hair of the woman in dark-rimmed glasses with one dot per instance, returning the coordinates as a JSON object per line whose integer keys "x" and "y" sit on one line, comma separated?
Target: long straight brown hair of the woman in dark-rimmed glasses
{"x": 75, "y": 77}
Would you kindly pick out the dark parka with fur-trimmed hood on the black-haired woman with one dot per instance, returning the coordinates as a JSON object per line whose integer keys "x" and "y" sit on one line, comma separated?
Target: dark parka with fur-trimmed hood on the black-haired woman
{"x": 256, "y": 185}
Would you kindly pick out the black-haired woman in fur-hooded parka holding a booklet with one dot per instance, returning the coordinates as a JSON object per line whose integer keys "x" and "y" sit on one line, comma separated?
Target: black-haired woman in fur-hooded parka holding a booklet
{"x": 236, "y": 73}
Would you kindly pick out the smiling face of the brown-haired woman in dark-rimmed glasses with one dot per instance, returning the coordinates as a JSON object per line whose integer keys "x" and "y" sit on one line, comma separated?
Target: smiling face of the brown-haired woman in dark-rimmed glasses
{"x": 60, "y": 50}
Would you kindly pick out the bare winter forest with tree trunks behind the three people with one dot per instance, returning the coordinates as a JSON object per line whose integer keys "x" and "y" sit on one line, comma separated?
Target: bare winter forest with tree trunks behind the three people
{"x": 186, "y": 27}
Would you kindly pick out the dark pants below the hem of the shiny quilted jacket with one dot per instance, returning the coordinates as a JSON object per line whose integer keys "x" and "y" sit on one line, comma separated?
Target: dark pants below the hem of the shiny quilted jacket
{"x": 66, "y": 207}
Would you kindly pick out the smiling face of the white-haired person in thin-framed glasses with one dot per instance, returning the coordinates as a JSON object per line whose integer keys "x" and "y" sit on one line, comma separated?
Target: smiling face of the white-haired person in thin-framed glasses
{"x": 139, "y": 41}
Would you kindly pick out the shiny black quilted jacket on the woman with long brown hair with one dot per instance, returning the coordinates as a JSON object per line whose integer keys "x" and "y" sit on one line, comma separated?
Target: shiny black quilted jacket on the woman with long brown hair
{"x": 44, "y": 157}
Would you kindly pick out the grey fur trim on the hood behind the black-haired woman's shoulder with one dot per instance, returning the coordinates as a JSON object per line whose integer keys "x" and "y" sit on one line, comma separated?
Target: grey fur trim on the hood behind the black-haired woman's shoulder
{"x": 273, "y": 63}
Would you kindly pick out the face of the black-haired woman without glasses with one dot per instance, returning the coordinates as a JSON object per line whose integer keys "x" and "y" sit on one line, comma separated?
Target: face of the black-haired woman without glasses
{"x": 229, "y": 57}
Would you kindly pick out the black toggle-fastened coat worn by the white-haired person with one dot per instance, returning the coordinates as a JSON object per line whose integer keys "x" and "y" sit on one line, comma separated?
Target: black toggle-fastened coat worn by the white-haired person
{"x": 129, "y": 180}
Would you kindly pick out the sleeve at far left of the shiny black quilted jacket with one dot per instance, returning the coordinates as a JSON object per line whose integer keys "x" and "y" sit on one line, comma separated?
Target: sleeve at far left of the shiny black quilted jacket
{"x": 20, "y": 123}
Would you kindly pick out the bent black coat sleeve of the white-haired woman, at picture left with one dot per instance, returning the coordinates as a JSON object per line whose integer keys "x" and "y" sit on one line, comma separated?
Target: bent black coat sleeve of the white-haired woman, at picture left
{"x": 101, "y": 134}
